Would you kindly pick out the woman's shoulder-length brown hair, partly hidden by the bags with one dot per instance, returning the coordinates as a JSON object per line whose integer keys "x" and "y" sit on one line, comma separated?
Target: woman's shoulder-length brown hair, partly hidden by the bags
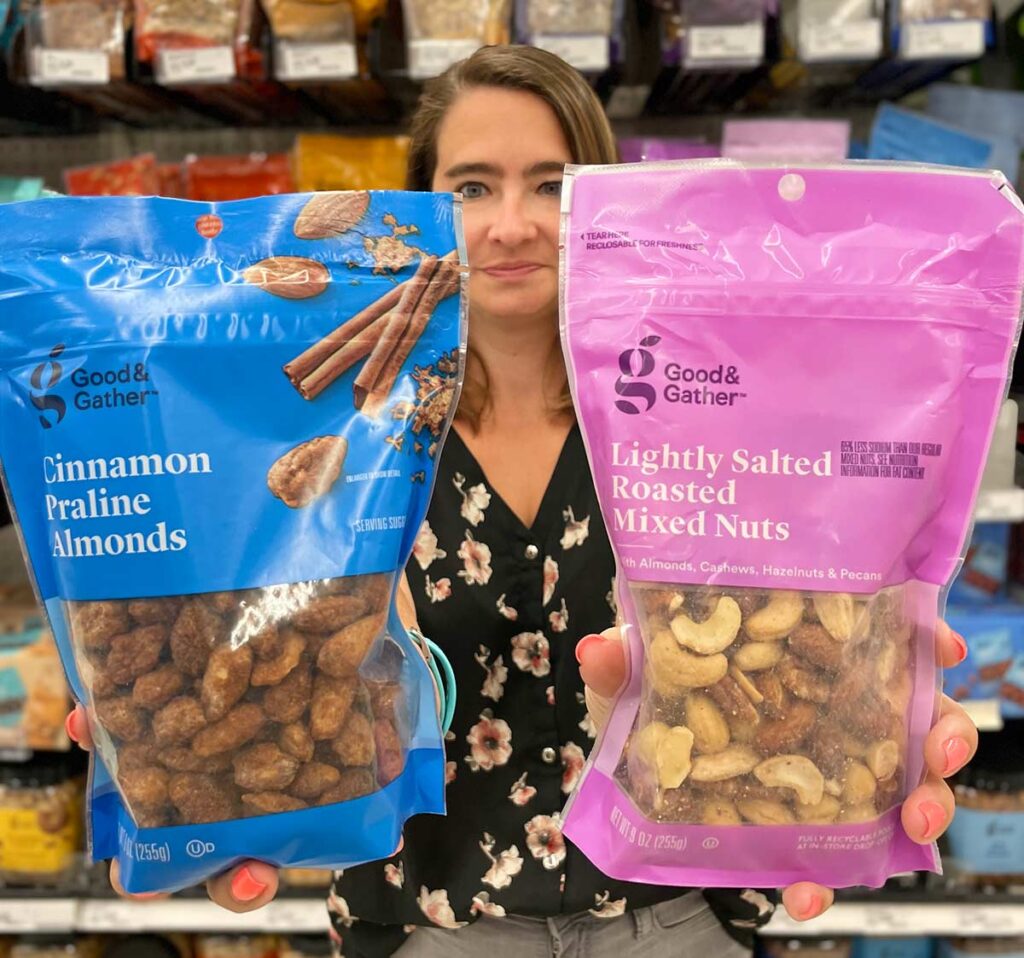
{"x": 580, "y": 115}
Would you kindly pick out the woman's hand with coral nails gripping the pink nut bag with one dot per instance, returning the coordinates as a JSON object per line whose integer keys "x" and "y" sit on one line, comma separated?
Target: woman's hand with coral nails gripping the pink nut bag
{"x": 927, "y": 811}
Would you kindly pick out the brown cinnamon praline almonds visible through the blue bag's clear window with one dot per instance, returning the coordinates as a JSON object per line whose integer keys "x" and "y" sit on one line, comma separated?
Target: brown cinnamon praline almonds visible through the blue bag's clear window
{"x": 234, "y": 705}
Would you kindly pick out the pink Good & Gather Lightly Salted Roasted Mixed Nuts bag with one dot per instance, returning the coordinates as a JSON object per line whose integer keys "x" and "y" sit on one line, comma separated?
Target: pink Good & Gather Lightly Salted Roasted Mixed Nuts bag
{"x": 787, "y": 379}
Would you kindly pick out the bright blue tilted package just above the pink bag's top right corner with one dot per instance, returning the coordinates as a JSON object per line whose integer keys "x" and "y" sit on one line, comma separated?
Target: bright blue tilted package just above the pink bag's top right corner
{"x": 903, "y": 135}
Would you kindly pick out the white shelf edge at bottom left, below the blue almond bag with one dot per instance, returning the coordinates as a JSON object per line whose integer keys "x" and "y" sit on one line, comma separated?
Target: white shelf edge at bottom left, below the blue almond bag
{"x": 20, "y": 916}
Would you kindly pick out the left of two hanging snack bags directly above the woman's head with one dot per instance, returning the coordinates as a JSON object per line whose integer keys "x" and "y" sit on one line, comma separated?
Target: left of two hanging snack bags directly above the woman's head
{"x": 441, "y": 32}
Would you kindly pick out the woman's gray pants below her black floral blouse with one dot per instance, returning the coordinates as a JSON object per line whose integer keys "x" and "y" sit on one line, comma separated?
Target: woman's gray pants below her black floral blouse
{"x": 685, "y": 928}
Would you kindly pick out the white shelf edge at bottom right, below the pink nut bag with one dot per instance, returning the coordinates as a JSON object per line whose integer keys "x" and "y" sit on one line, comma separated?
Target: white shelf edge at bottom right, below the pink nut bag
{"x": 940, "y": 919}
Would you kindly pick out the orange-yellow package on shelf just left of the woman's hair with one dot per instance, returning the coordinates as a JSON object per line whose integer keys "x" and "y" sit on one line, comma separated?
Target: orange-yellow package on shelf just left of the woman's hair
{"x": 325, "y": 161}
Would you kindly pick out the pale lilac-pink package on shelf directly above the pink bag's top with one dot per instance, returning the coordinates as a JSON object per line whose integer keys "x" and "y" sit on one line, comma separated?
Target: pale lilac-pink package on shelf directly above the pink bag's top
{"x": 786, "y": 141}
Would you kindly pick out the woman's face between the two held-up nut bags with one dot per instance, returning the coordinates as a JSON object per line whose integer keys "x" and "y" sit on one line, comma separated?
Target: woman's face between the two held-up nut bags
{"x": 504, "y": 152}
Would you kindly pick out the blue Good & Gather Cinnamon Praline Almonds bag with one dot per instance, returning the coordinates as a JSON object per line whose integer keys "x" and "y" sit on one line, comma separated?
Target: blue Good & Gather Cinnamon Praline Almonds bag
{"x": 220, "y": 425}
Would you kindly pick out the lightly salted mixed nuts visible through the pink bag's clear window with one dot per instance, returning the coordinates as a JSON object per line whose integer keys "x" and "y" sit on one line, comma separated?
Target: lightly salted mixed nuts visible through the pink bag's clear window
{"x": 771, "y": 708}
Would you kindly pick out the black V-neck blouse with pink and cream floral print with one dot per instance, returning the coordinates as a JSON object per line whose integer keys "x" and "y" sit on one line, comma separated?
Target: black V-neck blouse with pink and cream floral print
{"x": 508, "y": 605}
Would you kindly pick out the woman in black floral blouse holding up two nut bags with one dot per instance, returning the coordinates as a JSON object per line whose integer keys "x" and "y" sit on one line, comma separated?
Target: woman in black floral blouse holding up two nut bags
{"x": 513, "y": 560}
